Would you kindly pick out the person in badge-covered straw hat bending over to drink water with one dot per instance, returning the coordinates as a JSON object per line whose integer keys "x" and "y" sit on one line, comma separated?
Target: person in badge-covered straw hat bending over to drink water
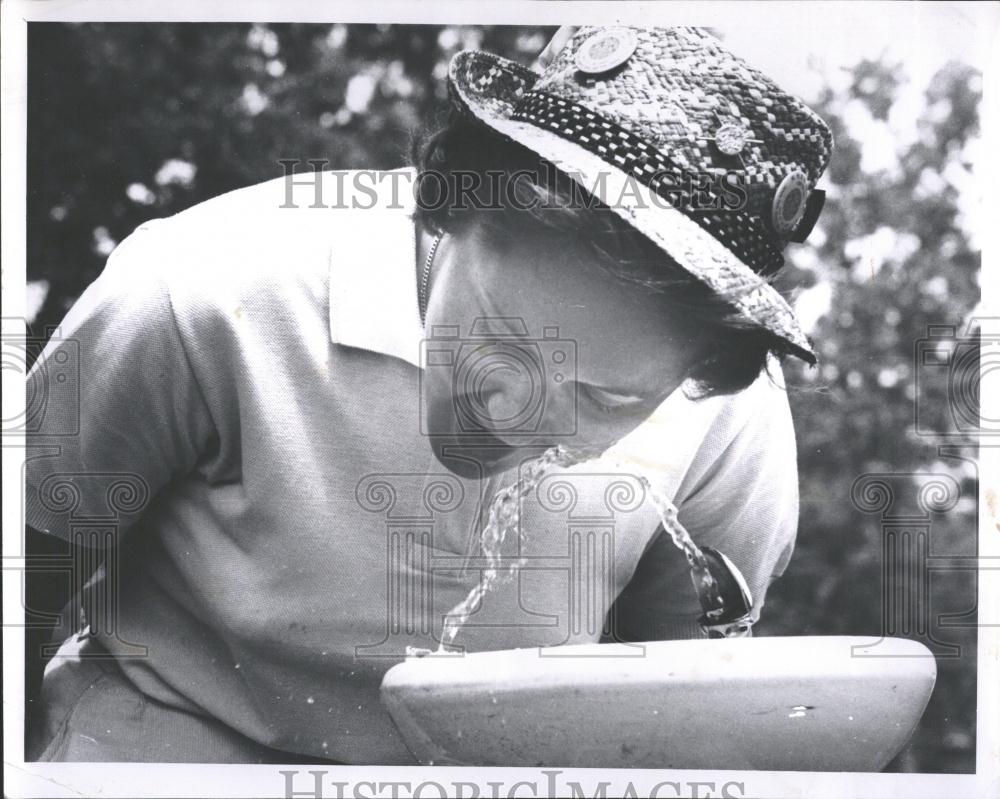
{"x": 295, "y": 414}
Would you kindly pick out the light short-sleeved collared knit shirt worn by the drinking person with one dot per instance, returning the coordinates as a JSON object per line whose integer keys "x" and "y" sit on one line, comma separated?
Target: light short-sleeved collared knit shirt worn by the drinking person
{"x": 237, "y": 399}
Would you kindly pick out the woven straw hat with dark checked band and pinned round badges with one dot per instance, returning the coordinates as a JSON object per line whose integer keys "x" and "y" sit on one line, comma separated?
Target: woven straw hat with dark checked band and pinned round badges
{"x": 655, "y": 122}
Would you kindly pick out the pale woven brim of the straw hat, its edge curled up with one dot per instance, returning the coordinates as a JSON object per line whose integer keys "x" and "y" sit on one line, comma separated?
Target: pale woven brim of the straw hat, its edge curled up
{"x": 488, "y": 87}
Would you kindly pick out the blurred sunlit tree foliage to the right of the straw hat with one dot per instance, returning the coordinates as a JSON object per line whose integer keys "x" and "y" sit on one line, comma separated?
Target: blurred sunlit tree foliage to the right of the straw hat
{"x": 894, "y": 256}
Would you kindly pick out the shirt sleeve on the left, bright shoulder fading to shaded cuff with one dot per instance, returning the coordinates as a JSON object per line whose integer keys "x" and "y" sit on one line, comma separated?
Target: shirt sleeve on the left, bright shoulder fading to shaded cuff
{"x": 114, "y": 410}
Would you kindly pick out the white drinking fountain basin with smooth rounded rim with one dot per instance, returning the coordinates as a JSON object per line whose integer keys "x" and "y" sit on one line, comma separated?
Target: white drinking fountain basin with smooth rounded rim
{"x": 813, "y": 703}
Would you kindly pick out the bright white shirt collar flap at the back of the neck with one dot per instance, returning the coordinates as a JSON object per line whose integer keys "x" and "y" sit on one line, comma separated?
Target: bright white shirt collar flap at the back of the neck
{"x": 373, "y": 283}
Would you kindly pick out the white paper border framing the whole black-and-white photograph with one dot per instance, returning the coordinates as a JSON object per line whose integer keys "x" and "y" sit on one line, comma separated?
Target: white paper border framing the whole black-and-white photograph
{"x": 135, "y": 780}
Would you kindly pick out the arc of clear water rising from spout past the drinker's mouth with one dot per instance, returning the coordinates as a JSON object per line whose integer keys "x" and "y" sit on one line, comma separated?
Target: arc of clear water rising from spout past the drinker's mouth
{"x": 505, "y": 516}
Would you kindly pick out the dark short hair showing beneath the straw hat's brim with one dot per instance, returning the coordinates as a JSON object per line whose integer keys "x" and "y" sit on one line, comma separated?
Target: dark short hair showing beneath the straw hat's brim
{"x": 470, "y": 176}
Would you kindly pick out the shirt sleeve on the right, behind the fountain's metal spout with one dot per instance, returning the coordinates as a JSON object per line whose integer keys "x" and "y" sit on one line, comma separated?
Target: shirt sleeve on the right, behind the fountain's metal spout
{"x": 740, "y": 496}
